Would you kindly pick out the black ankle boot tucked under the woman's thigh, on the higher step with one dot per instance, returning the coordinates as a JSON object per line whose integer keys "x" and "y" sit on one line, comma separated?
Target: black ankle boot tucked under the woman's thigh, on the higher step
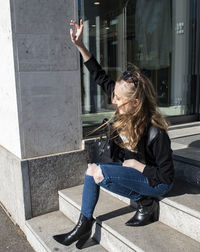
{"x": 146, "y": 213}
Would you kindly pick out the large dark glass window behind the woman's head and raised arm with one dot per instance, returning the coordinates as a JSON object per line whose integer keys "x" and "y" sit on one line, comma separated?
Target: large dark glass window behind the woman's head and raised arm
{"x": 152, "y": 34}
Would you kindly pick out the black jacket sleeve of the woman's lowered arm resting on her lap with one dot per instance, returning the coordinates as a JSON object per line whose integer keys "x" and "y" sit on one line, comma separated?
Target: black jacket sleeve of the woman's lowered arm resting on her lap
{"x": 162, "y": 171}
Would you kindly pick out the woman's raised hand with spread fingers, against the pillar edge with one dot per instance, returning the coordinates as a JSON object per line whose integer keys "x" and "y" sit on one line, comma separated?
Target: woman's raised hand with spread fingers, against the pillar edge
{"x": 76, "y": 36}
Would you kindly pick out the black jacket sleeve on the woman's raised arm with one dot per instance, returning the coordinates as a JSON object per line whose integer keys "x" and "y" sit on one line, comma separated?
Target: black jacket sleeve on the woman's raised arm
{"x": 100, "y": 77}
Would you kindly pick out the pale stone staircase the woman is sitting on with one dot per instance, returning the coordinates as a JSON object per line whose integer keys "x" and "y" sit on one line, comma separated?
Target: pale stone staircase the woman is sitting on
{"x": 178, "y": 228}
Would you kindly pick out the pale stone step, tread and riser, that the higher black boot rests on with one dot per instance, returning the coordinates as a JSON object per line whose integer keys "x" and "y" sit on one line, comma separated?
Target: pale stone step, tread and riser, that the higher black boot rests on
{"x": 111, "y": 214}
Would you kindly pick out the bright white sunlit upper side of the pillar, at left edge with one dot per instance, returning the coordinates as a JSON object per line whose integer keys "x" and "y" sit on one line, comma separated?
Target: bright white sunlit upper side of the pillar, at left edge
{"x": 9, "y": 126}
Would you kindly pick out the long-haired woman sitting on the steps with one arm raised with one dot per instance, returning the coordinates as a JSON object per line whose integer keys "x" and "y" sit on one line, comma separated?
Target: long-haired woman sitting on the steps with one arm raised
{"x": 140, "y": 148}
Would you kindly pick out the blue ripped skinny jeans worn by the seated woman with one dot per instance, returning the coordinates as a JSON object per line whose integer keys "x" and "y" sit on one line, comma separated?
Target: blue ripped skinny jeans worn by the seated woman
{"x": 122, "y": 180}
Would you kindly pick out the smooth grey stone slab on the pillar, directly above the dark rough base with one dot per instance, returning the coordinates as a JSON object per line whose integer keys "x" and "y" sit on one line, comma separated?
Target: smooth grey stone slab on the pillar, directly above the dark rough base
{"x": 50, "y": 113}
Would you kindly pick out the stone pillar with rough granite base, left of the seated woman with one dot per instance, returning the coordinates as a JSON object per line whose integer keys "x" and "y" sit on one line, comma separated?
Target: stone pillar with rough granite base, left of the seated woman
{"x": 41, "y": 128}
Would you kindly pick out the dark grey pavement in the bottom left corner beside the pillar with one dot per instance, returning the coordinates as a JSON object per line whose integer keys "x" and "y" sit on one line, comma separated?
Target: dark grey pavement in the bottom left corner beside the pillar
{"x": 12, "y": 239}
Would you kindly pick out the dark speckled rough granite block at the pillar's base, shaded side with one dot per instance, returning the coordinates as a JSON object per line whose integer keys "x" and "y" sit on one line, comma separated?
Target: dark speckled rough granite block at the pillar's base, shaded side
{"x": 49, "y": 174}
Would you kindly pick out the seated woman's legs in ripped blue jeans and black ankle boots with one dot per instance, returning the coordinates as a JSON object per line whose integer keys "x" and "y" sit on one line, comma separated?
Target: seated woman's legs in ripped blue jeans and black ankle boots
{"x": 119, "y": 179}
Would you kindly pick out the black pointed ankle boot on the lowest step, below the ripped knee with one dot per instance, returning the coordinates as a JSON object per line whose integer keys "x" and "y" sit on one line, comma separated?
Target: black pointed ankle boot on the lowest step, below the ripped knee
{"x": 81, "y": 233}
